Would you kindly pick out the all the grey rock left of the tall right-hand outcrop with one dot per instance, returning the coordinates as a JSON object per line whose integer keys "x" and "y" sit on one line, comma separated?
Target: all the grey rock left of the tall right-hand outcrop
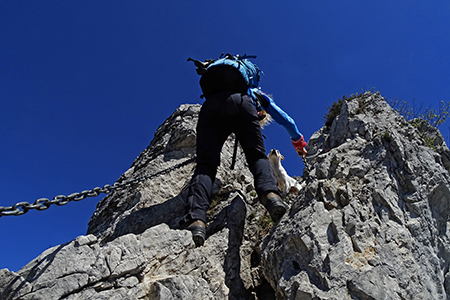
{"x": 134, "y": 248}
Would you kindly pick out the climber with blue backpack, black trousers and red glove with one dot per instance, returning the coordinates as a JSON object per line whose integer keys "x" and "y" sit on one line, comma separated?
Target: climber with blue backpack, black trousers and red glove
{"x": 234, "y": 103}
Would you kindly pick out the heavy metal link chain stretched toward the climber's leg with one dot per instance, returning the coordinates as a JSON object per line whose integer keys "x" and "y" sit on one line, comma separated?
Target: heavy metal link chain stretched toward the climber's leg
{"x": 21, "y": 208}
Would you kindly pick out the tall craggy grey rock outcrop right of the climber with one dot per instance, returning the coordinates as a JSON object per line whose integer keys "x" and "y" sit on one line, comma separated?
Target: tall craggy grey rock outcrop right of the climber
{"x": 372, "y": 222}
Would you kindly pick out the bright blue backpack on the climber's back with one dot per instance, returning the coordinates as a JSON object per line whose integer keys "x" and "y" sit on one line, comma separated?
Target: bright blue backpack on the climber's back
{"x": 249, "y": 71}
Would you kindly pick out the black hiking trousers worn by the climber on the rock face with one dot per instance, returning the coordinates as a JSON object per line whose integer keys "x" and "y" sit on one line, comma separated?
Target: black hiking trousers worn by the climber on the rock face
{"x": 220, "y": 115}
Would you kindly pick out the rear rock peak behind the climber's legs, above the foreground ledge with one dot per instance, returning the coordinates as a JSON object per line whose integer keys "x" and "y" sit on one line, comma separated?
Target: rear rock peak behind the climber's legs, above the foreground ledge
{"x": 169, "y": 162}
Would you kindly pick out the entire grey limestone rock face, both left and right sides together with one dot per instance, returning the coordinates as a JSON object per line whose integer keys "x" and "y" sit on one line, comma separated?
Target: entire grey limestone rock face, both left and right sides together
{"x": 372, "y": 222}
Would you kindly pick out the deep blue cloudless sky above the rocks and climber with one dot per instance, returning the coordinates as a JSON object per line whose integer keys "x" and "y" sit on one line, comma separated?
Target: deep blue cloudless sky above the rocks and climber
{"x": 85, "y": 84}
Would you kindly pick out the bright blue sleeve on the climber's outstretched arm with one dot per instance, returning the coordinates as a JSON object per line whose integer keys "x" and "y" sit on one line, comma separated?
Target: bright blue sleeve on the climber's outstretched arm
{"x": 276, "y": 112}
